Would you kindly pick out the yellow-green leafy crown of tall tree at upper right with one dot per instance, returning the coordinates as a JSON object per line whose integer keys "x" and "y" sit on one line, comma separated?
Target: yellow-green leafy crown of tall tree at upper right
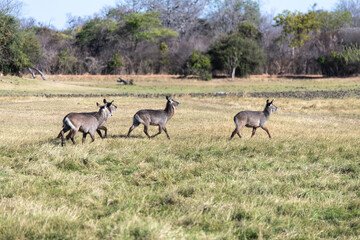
{"x": 296, "y": 26}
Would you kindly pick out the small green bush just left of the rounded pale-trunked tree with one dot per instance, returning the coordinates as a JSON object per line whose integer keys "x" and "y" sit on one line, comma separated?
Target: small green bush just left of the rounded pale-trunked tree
{"x": 199, "y": 64}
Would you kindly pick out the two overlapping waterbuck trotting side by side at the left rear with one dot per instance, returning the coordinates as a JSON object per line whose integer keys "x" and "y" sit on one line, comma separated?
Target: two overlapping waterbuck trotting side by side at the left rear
{"x": 87, "y": 123}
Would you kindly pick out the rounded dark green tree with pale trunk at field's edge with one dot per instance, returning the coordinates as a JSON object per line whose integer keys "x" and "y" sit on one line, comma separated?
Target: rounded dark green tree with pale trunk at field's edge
{"x": 238, "y": 53}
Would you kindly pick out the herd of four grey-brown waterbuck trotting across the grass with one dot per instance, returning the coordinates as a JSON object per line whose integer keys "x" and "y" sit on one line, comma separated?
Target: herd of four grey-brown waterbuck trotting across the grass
{"x": 89, "y": 122}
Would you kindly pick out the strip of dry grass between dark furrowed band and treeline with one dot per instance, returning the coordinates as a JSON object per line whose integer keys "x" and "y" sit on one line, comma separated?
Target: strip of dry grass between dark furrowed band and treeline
{"x": 153, "y": 84}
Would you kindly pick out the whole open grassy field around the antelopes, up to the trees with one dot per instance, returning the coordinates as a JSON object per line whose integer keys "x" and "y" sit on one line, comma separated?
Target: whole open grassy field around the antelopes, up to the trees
{"x": 304, "y": 183}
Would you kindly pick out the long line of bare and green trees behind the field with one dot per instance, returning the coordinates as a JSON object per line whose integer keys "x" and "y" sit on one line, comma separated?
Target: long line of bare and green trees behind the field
{"x": 189, "y": 37}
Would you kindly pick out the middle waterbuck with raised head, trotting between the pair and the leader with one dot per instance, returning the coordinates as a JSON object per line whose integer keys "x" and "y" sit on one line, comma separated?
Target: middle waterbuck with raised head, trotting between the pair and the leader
{"x": 155, "y": 117}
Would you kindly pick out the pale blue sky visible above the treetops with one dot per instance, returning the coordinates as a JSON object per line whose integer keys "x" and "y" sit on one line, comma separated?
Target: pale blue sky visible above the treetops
{"x": 54, "y": 12}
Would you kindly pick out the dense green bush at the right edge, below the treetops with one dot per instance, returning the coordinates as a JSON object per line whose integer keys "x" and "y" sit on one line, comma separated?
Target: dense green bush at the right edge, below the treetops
{"x": 342, "y": 64}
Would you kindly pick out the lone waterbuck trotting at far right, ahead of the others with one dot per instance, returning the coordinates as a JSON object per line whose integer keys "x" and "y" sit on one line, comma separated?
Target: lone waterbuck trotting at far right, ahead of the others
{"x": 253, "y": 119}
